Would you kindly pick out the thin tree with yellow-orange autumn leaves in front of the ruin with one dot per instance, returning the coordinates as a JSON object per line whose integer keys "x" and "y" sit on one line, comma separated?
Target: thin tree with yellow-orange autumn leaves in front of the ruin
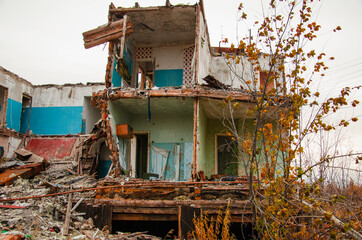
{"x": 285, "y": 205}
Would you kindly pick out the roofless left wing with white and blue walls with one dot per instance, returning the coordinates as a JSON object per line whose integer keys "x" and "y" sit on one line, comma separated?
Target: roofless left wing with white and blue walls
{"x": 43, "y": 110}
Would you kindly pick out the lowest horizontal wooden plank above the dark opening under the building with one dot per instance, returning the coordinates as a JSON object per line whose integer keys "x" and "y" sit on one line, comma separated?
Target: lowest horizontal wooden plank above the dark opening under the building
{"x": 143, "y": 217}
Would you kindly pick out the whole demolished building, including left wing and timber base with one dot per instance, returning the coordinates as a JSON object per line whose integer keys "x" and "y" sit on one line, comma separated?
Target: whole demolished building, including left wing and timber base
{"x": 162, "y": 142}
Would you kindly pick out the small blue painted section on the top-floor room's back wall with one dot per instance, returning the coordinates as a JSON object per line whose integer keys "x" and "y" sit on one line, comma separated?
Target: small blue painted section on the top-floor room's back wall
{"x": 168, "y": 78}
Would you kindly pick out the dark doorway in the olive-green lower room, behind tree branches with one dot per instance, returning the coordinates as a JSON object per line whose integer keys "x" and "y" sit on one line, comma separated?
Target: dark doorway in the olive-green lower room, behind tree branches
{"x": 226, "y": 154}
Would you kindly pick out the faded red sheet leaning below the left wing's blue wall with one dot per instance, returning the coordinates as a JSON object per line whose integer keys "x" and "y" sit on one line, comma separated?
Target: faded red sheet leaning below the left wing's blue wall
{"x": 51, "y": 148}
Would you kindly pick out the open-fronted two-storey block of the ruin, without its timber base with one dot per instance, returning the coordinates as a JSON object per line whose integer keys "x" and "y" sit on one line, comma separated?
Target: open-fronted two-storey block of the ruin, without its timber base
{"x": 165, "y": 93}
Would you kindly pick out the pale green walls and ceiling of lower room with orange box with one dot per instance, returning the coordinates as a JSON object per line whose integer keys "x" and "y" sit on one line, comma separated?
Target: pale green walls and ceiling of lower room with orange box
{"x": 169, "y": 126}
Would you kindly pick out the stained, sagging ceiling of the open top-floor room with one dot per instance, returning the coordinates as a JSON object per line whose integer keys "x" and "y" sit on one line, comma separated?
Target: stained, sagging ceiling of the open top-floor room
{"x": 164, "y": 26}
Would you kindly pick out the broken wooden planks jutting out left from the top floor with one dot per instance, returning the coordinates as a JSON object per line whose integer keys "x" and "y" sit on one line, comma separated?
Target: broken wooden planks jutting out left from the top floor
{"x": 105, "y": 33}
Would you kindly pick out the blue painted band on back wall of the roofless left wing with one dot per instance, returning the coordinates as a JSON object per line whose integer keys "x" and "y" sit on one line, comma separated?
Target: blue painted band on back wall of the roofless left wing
{"x": 56, "y": 120}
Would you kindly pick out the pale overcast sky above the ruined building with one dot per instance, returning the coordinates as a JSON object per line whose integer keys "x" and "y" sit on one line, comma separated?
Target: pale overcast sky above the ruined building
{"x": 41, "y": 40}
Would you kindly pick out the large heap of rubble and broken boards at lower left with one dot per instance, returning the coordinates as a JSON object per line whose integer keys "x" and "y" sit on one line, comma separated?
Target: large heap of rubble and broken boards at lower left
{"x": 40, "y": 216}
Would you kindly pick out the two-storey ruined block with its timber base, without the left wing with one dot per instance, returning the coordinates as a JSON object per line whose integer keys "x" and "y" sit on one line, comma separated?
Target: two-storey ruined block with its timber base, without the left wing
{"x": 164, "y": 113}
